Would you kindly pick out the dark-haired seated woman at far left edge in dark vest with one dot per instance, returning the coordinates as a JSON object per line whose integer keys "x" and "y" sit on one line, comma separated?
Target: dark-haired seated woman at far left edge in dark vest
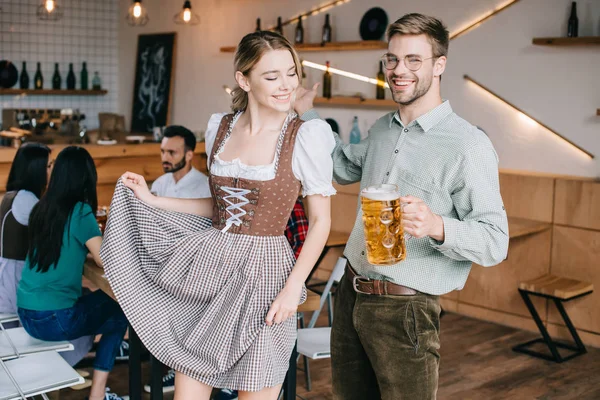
{"x": 26, "y": 183}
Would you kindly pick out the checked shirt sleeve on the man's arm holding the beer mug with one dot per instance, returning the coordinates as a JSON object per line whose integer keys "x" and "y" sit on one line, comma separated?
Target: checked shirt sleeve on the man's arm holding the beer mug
{"x": 480, "y": 234}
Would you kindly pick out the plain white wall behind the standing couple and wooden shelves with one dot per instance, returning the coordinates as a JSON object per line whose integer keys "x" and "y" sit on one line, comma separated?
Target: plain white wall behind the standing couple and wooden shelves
{"x": 557, "y": 85}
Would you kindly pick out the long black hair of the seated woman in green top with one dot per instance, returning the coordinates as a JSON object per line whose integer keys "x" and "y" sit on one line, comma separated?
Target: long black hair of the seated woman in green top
{"x": 73, "y": 180}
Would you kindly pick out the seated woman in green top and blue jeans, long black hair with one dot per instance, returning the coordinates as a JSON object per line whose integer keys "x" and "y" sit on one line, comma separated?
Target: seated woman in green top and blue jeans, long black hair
{"x": 63, "y": 229}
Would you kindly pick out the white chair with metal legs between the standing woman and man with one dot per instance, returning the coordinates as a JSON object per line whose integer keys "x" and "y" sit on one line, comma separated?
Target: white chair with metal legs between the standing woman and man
{"x": 314, "y": 342}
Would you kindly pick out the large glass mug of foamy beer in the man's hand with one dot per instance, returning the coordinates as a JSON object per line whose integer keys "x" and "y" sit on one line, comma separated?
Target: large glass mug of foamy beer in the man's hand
{"x": 382, "y": 222}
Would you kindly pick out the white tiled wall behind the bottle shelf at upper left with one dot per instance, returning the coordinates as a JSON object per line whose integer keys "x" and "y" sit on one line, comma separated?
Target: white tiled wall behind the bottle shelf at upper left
{"x": 86, "y": 32}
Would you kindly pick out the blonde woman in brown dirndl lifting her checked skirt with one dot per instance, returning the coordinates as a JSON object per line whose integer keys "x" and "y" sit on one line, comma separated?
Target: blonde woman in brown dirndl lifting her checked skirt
{"x": 217, "y": 302}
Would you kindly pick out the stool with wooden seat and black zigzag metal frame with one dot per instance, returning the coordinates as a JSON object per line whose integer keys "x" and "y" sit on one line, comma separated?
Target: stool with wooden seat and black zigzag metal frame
{"x": 558, "y": 289}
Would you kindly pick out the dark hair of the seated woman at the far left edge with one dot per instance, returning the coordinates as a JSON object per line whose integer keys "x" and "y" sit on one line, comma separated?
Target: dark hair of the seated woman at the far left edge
{"x": 29, "y": 170}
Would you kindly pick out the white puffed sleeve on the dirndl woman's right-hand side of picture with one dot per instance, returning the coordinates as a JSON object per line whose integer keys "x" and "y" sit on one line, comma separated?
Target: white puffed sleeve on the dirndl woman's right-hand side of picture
{"x": 311, "y": 162}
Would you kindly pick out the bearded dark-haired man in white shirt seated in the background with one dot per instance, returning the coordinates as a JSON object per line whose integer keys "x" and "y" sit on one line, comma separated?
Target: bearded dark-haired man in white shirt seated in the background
{"x": 181, "y": 179}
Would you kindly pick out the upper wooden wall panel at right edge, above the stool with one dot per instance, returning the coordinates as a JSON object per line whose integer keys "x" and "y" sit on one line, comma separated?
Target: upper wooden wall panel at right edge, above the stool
{"x": 577, "y": 203}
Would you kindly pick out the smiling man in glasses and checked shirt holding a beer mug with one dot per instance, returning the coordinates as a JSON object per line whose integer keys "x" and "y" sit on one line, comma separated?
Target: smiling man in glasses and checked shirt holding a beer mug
{"x": 386, "y": 346}
